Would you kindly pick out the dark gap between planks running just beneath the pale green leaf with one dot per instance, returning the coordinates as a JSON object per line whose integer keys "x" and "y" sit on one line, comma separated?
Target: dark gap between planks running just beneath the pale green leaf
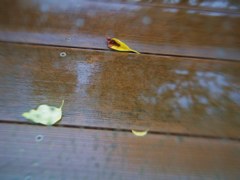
{"x": 172, "y": 134}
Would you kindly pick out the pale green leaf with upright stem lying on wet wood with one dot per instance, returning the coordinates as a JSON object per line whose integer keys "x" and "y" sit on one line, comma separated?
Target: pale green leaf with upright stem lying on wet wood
{"x": 45, "y": 114}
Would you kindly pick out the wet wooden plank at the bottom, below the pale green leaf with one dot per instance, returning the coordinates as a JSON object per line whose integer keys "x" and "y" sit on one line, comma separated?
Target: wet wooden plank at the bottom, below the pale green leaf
{"x": 34, "y": 152}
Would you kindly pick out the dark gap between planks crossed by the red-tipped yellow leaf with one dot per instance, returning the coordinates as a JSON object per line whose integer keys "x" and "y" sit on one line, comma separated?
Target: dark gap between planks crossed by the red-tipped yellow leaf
{"x": 108, "y": 50}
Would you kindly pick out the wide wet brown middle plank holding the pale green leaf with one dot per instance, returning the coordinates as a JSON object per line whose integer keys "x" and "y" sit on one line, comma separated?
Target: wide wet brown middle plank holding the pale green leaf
{"x": 121, "y": 90}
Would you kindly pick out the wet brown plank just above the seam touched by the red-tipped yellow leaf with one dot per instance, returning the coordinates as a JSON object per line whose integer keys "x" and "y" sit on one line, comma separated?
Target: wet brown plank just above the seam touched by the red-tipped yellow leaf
{"x": 149, "y": 29}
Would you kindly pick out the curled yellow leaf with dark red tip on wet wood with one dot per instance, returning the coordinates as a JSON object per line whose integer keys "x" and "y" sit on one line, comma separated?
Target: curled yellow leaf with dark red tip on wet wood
{"x": 116, "y": 44}
